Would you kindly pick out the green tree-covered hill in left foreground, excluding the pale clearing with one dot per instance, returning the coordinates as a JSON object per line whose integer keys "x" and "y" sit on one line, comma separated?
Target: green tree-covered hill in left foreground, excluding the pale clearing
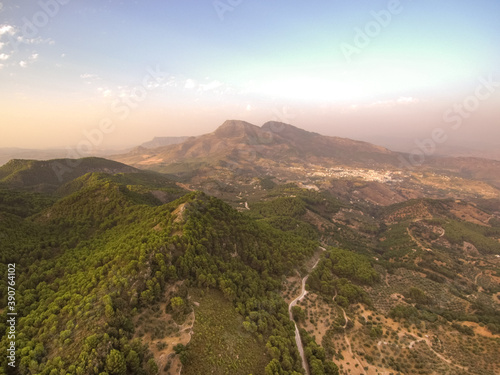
{"x": 88, "y": 263}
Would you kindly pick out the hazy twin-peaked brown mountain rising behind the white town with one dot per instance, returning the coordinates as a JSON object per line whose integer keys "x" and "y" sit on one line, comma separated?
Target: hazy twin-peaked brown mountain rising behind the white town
{"x": 244, "y": 143}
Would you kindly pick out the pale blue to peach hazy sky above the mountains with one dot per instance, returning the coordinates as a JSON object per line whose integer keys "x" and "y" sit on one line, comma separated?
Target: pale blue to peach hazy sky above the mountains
{"x": 117, "y": 73}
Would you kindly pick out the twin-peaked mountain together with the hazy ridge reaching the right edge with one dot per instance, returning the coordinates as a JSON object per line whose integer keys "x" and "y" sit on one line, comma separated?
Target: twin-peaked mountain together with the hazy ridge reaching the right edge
{"x": 247, "y": 147}
